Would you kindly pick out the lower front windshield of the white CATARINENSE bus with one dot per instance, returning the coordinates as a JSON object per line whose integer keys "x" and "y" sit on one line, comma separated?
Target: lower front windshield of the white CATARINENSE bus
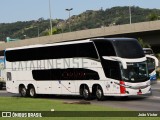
{"x": 135, "y": 72}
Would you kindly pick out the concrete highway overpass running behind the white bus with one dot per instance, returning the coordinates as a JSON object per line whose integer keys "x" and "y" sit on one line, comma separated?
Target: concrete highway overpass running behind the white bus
{"x": 148, "y": 31}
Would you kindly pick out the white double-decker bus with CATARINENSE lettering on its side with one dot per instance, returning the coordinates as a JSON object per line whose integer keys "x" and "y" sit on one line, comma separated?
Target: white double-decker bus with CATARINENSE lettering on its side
{"x": 94, "y": 67}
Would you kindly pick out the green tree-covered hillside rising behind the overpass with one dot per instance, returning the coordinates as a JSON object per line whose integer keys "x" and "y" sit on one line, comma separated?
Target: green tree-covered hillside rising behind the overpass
{"x": 86, "y": 20}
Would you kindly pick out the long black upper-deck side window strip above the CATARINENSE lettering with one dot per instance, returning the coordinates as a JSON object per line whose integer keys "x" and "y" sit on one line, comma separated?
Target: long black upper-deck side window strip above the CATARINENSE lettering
{"x": 53, "y": 52}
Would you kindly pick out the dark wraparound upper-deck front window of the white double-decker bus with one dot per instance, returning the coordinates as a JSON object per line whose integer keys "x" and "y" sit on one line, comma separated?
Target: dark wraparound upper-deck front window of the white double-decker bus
{"x": 124, "y": 48}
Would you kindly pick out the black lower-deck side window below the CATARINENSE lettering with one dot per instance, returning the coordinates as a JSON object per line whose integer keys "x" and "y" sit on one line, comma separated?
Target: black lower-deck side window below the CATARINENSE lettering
{"x": 65, "y": 74}
